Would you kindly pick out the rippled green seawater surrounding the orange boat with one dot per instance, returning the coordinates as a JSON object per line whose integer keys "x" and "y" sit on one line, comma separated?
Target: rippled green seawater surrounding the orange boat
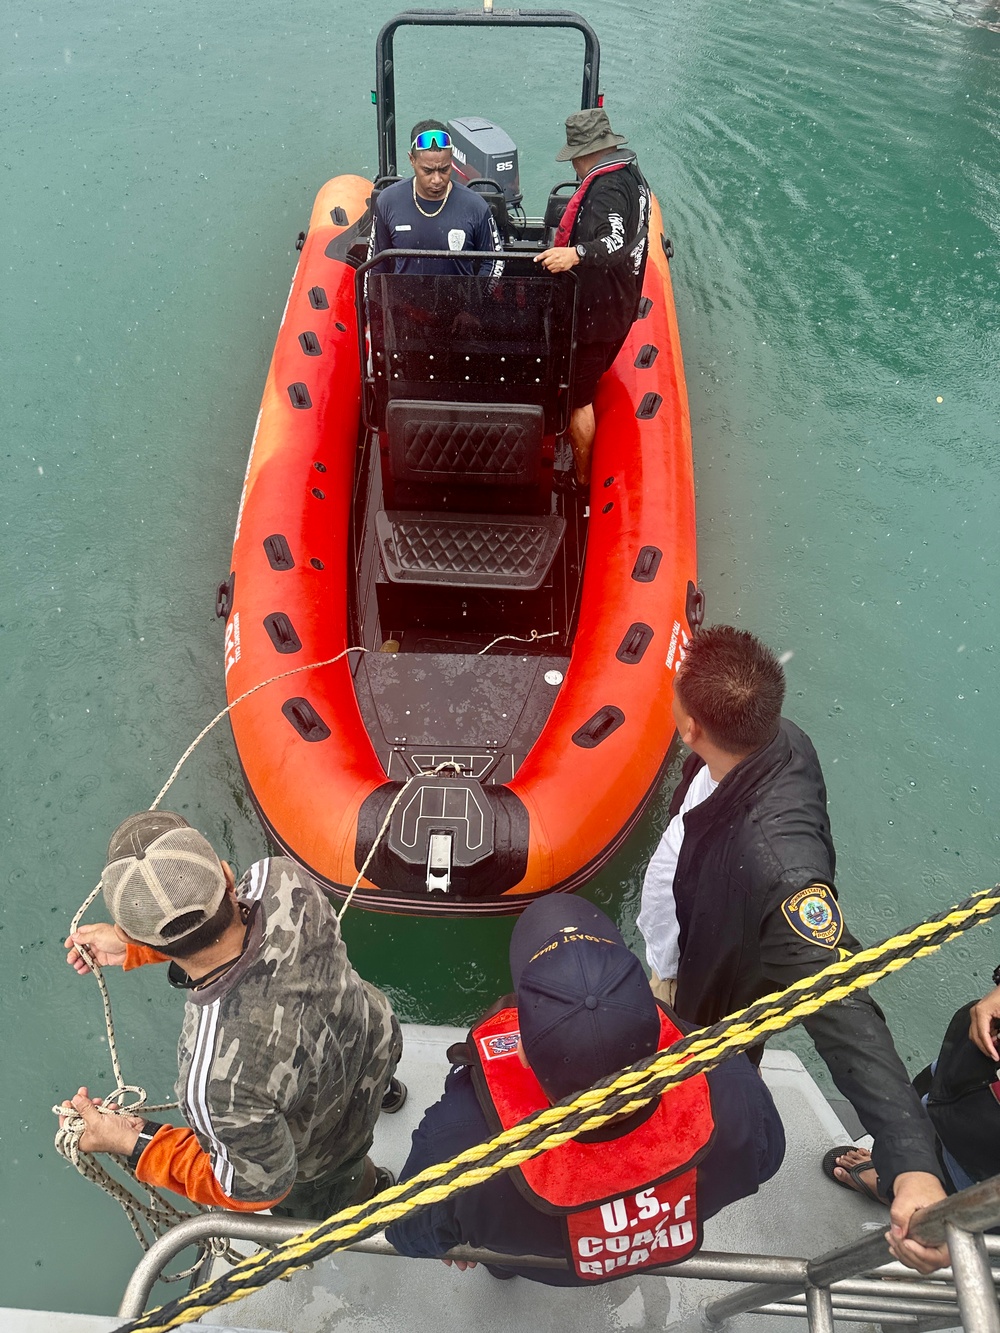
{"x": 829, "y": 174}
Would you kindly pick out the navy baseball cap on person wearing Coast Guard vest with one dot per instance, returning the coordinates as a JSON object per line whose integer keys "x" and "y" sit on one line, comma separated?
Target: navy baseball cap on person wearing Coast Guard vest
{"x": 585, "y": 1003}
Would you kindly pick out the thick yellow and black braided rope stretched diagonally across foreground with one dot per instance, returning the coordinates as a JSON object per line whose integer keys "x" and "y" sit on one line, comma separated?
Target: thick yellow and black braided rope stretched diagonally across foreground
{"x": 554, "y": 1126}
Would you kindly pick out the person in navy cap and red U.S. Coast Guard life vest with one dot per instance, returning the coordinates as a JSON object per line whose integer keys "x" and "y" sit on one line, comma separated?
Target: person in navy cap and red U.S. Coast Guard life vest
{"x": 618, "y": 1202}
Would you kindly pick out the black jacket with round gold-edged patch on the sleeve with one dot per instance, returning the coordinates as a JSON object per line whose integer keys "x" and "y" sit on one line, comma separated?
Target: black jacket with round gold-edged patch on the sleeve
{"x": 761, "y": 839}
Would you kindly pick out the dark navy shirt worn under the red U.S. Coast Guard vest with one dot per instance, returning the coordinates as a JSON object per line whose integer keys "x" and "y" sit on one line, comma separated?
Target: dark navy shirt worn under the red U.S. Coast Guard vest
{"x": 747, "y": 1151}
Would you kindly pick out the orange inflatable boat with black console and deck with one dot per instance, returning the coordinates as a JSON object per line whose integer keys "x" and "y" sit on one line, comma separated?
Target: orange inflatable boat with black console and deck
{"x": 446, "y": 667}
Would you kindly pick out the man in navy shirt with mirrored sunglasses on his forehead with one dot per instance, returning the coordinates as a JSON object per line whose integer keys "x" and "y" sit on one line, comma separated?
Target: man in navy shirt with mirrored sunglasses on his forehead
{"x": 433, "y": 213}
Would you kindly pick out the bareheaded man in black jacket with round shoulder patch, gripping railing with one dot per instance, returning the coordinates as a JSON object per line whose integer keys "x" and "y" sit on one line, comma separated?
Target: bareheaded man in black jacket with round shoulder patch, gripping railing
{"x": 739, "y": 900}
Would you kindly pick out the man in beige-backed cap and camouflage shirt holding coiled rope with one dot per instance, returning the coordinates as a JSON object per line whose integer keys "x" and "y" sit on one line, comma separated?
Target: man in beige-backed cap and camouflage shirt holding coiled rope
{"x": 286, "y": 1056}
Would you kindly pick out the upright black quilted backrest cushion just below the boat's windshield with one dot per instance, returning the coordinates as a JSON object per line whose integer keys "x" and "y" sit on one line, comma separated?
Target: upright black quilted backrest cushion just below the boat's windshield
{"x": 483, "y": 443}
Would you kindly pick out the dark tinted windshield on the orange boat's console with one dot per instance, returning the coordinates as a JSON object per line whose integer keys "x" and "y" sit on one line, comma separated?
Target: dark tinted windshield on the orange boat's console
{"x": 469, "y": 339}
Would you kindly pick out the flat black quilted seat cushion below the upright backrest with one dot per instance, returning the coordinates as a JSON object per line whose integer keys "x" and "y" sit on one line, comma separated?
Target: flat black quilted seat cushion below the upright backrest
{"x": 467, "y": 550}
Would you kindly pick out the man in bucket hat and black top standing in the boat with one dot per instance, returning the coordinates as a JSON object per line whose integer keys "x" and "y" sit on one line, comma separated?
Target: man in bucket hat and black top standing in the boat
{"x": 603, "y": 237}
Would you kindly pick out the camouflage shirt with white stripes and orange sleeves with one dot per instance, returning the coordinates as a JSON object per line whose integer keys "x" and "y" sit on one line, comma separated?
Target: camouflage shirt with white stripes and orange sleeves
{"x": 282, "y": 1059}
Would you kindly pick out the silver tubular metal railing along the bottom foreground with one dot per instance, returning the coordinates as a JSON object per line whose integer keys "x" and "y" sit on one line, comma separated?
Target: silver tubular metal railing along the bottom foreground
{"x": 855, "y": 1284}
